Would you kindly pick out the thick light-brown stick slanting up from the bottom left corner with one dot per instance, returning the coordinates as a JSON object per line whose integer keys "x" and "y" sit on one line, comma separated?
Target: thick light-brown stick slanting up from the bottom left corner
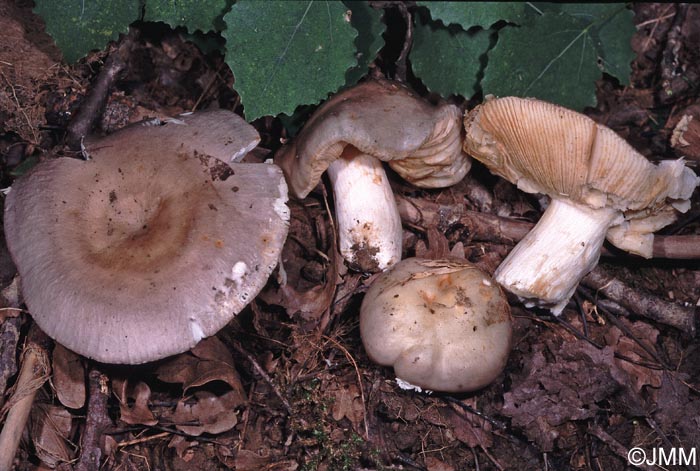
{"x": 34, "y": 372}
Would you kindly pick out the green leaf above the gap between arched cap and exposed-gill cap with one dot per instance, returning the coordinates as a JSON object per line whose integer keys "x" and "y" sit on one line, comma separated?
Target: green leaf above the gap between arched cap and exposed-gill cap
{"x": 447, "y": 62}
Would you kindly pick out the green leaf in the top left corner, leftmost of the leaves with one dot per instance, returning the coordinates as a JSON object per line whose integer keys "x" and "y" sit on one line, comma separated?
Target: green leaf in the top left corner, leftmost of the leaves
{"x": 81, "y": 26}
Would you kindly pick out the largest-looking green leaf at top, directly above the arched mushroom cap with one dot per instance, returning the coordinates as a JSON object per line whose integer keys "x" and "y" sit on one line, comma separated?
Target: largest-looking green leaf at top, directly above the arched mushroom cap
{"x": 287, "y": 53}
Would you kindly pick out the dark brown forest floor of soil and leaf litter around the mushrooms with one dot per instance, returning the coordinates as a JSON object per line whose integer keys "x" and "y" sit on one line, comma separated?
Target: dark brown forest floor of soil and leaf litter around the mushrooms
{"x": 287, "y": 386}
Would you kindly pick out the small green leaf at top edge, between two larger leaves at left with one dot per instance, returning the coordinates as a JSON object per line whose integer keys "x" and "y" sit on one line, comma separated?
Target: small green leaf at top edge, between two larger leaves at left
{"x": 193, "y": 14}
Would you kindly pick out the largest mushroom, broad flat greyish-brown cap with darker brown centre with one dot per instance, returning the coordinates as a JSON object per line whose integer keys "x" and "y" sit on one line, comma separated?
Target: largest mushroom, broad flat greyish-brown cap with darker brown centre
{"x": 152, "y": 244}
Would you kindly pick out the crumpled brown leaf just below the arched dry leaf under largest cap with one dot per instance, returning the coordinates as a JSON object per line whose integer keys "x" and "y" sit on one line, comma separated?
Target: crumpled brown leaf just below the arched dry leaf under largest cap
{"x": 209, "y": 413}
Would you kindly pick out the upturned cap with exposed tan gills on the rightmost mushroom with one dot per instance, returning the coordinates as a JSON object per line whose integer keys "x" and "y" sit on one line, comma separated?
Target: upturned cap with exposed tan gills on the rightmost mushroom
{"x": 545, "y": 148}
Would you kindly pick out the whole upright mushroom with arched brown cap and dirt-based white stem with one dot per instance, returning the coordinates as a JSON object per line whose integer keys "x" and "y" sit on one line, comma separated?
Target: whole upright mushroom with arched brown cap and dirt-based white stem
{"x": 350, "y": 135}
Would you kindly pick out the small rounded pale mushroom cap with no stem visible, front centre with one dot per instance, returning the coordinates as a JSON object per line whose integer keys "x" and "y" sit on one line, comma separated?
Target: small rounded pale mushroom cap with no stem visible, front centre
{"x": 442, "y": 324}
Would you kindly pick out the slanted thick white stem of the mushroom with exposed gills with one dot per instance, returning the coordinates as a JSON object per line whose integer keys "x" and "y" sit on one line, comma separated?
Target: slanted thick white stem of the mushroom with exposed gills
{"x": 548, "y": 263}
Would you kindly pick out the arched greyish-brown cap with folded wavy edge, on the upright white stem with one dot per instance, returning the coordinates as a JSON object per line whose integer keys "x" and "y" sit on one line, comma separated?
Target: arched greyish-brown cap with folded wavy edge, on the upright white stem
{"x": 384, "y": 119}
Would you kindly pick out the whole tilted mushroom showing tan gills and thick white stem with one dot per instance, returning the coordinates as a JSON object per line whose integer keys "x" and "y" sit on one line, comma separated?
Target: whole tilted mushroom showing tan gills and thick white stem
{"x": 598, "y": 184}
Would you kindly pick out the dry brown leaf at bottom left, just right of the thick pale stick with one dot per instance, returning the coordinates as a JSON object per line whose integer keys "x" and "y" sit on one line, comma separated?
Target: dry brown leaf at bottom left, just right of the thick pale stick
{"x": 50, "y": 427}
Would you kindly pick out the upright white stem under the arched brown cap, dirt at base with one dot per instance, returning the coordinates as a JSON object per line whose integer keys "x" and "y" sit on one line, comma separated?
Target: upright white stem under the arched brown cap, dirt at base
{"x": 368, "y": 221}
